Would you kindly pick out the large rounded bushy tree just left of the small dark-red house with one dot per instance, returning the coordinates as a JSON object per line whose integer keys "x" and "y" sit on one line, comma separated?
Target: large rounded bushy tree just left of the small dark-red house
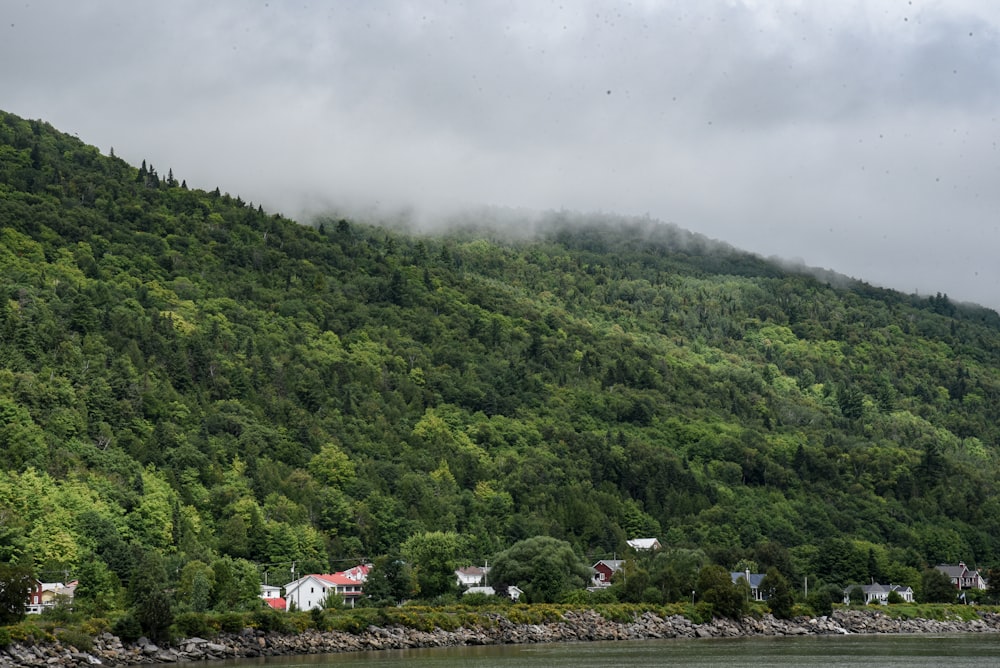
{"x": 544, "y": 567}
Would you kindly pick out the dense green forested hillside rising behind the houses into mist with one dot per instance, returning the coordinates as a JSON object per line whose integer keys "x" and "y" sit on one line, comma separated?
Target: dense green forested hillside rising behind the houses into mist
{"x": 186, "y": 375}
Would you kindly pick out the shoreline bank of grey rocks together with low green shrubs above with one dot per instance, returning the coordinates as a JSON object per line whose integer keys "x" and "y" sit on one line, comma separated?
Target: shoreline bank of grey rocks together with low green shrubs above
{"x": 267, "y": 633}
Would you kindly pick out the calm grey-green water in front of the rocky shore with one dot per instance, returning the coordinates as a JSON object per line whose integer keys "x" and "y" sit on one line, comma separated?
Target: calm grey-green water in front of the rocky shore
{"x": 912, "y": 651}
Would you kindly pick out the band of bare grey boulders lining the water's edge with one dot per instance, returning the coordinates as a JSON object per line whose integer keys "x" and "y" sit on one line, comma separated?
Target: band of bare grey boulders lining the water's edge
{"x": 576, "y": 626}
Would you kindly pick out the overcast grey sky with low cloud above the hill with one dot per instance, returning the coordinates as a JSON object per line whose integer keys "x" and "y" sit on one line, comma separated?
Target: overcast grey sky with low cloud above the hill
{"x": 856, "y": 136}
